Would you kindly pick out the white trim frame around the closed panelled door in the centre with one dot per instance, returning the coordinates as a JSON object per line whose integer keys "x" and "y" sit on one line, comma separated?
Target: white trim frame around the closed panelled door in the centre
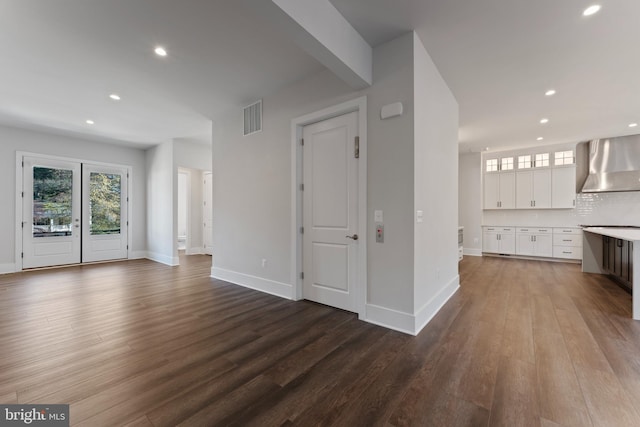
{"x": 297, "y": 125}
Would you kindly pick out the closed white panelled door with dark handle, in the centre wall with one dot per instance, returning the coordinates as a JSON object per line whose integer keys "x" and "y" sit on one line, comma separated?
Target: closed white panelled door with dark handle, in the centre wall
{"x": 330, "y": 212}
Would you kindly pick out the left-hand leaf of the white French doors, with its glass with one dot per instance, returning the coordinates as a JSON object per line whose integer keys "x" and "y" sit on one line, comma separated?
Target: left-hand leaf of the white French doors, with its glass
{"x": 51, "y": 212}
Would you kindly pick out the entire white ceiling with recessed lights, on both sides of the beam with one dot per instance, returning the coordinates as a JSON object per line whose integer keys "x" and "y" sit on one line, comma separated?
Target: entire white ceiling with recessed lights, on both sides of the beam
{"x": 61, "y": 59}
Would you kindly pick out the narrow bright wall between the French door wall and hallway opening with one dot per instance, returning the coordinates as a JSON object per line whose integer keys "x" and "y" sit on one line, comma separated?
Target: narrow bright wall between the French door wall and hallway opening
{"x": 161, "y": 204}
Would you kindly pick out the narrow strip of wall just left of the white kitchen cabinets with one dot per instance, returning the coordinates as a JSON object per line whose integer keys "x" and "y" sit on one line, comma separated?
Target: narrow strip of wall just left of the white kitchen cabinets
{"x": 470, "y": 201}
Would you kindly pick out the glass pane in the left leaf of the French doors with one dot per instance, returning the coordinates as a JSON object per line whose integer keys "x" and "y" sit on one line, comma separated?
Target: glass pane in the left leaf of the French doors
{"x": 52, "y": 191}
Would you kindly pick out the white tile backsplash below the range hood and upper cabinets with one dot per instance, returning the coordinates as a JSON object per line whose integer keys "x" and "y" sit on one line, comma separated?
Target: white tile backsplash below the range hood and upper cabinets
{"x": 591, "y": 208}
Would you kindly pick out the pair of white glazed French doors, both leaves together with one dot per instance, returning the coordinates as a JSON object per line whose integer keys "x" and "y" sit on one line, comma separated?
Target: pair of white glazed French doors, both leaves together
{"x": 72, "y": 212}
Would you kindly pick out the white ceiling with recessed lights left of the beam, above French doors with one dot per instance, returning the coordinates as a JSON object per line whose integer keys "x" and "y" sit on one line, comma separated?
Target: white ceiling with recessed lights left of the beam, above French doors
{"x": 61, "y": 59}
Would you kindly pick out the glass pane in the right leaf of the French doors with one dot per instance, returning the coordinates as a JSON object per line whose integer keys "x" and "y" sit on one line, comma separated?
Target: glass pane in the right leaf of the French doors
{"x": 105, "y": 203}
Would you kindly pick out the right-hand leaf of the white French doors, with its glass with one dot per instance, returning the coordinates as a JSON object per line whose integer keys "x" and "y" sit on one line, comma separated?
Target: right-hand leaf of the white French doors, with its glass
{"x": 104, "y": 218}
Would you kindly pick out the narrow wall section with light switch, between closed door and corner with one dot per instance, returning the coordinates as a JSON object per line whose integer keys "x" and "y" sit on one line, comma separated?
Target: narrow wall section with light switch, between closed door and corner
{"x": 390, "y": 181}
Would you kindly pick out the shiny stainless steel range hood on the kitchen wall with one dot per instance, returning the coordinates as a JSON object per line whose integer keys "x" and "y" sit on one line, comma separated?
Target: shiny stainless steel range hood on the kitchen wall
{"x": 614, "y": 165}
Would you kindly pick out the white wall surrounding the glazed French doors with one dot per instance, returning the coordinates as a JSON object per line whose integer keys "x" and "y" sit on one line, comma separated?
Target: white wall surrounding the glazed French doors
{"x": 13, "y": 140}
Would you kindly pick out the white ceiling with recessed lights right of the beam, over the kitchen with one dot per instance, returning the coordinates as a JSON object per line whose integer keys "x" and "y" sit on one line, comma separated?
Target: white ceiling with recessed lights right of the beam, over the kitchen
{"x": 500, "y": 56}
